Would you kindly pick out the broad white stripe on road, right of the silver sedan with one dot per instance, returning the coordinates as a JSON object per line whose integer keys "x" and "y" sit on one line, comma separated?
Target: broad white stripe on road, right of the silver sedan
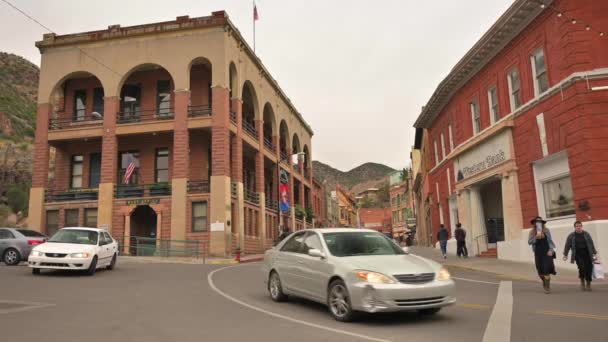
{"x": 499, "y": 325}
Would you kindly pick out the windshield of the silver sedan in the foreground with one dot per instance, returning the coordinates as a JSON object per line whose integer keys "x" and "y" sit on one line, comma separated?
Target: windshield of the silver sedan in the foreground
{"x": 360, "y": 243}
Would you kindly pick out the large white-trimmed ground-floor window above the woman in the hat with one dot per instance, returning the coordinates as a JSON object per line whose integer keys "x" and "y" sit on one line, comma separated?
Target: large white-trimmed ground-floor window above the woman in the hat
{"x": 554, "y": 192}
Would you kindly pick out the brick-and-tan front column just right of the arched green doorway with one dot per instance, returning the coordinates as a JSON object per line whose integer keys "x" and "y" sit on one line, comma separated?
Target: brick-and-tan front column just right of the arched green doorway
{"x": 181, "y": 163}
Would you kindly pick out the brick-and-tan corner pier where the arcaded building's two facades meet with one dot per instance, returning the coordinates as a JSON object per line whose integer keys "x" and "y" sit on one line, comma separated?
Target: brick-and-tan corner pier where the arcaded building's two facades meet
{"x": 220, "y": 203}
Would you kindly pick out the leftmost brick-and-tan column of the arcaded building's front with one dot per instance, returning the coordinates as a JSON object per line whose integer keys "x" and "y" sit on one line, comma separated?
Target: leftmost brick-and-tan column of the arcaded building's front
{"x": 40, "y": 173}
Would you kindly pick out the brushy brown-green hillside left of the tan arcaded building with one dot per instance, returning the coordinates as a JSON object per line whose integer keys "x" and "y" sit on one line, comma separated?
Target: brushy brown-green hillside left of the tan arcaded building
{"x": 18, "y": 89}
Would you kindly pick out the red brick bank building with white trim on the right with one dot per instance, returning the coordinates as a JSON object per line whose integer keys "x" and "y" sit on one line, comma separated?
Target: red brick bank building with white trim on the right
{"x": 518, "y": 129}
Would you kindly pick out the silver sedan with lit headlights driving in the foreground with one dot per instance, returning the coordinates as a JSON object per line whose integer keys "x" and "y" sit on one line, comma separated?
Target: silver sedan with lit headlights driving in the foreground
{"x": 355, "y": 270}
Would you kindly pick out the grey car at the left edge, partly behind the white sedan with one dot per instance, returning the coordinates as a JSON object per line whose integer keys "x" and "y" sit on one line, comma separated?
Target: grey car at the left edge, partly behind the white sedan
{"x": 16, "y": 244}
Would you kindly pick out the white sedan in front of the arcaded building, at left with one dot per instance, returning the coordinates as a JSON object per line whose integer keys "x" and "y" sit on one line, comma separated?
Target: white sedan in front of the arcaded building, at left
{"x": 75, "y": 249}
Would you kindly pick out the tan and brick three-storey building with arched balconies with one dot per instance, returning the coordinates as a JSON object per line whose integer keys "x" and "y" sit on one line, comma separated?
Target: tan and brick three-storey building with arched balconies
{"x": 190, "y": 105}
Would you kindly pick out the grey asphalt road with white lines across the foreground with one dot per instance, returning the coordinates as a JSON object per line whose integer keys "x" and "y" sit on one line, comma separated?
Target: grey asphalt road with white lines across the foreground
{"x": 179, "y": 302}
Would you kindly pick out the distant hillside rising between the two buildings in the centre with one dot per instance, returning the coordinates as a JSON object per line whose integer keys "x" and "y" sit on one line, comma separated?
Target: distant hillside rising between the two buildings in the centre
{"x": 358, "y": 179}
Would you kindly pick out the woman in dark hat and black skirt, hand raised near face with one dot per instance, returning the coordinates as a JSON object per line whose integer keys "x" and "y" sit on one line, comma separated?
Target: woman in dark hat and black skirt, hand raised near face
{"x": 544, "y": 251}
